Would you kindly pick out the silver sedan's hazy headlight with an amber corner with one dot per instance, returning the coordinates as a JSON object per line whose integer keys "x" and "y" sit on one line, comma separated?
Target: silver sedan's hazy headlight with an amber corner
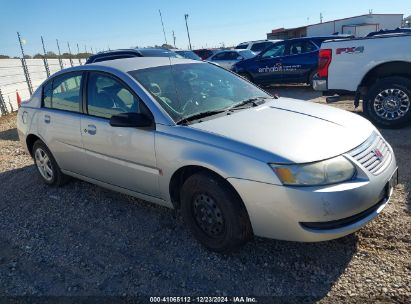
{"x": 331, "y": 171}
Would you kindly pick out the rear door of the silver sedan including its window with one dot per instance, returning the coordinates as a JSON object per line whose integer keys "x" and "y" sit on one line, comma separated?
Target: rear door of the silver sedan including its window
{"x": 59, "y": 120}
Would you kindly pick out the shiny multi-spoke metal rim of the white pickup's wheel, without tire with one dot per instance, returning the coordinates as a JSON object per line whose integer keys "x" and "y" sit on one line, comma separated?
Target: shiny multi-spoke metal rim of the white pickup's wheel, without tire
{"x": 391, "y": 104}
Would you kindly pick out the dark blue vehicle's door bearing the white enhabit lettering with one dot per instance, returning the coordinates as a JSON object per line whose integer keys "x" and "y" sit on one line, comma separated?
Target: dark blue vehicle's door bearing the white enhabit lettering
{"x": 268, "y": 67}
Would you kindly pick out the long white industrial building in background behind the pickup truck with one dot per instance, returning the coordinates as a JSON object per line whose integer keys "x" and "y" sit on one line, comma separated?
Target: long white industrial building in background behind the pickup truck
{"x": 358, "y": 26}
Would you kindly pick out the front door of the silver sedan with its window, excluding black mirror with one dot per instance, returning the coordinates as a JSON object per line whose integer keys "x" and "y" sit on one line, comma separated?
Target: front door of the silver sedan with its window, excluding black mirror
{"x": 119, "y": 156}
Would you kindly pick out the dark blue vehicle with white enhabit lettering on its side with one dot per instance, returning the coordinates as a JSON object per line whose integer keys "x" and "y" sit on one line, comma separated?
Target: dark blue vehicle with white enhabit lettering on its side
{"x": 288, "y": 61}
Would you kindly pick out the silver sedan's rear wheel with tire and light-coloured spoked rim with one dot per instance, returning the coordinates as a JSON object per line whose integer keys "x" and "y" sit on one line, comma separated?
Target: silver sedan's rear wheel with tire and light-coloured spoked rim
{"x": 43, "y": 159}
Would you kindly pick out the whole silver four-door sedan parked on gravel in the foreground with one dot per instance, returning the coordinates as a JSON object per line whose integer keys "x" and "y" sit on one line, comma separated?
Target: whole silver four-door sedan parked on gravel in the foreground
{"x": 191, "y": 135}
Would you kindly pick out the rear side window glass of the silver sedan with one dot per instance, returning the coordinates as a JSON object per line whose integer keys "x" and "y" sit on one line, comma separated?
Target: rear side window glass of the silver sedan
{"x": 63, "y": 93}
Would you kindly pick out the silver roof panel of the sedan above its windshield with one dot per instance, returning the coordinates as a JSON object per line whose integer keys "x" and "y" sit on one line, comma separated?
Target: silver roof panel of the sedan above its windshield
{"x": 139, "y": 63}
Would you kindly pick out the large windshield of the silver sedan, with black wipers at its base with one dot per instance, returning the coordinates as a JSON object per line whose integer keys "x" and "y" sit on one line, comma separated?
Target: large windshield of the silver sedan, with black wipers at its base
{"x": 184, "y": 90}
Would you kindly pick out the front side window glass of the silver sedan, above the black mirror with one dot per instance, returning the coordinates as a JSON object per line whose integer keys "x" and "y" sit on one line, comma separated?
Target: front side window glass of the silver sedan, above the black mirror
{"x": 106, "y": 97}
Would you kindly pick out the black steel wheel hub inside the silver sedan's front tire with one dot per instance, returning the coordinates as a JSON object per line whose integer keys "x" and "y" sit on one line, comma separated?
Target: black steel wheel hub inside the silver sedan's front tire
{"x": 208, "y": 215}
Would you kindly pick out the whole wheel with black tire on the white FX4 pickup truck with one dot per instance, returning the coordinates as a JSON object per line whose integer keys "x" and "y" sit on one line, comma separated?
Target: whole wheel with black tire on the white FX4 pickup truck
{"x": 385, "y": 115}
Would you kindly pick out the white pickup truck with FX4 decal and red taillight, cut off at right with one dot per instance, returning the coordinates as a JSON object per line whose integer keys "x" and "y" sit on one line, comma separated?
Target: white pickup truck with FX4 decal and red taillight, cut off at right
{"x": 376, "y": 70}
